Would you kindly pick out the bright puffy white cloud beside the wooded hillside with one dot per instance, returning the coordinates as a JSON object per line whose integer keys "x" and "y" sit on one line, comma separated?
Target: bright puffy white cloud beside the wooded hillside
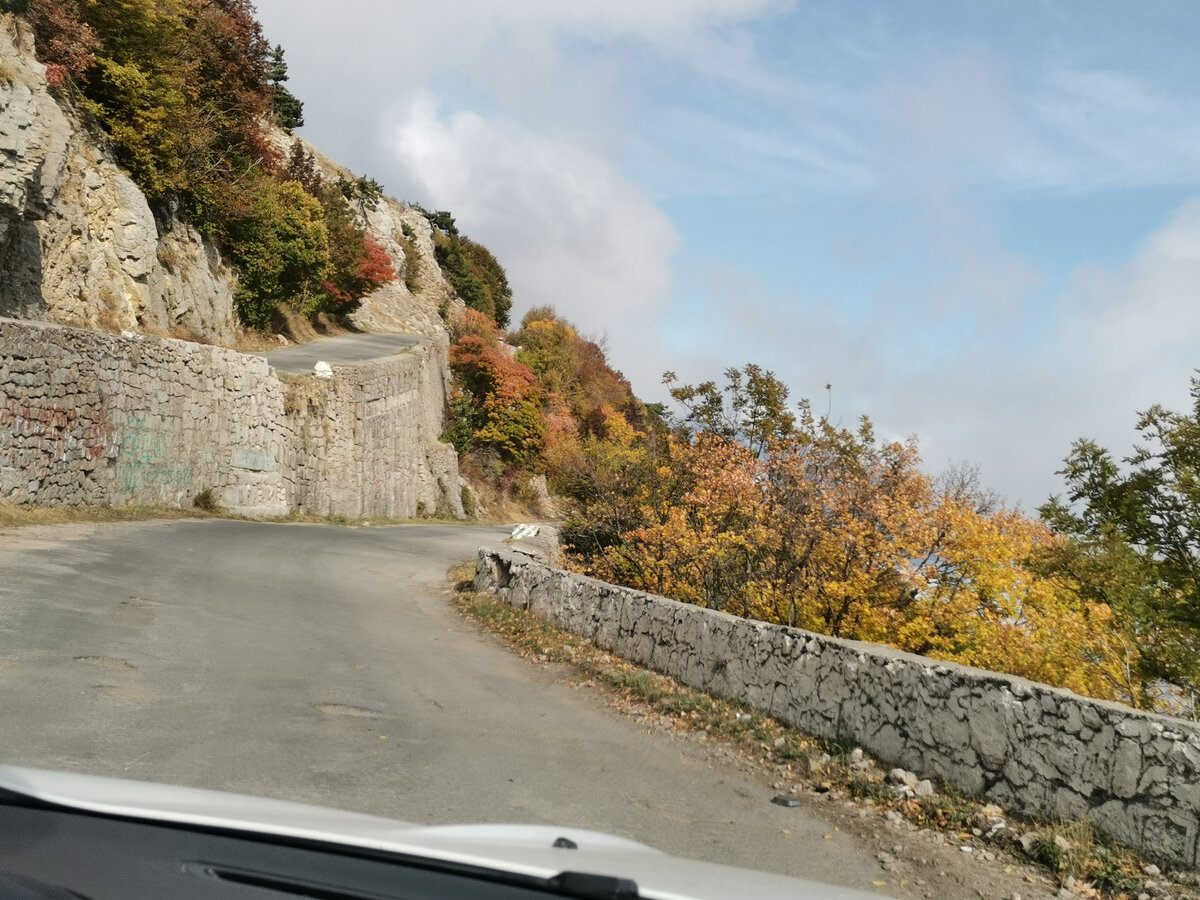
{"x": 569, "y": 229}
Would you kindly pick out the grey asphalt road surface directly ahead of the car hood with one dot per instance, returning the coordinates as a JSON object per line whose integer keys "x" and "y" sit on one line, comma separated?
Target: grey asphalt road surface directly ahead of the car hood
{"x": 327, "y": 665}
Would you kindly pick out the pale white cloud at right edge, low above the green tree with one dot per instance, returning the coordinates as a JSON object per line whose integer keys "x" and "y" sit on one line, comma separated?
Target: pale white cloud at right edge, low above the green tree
{"x": 1120, "y": 340}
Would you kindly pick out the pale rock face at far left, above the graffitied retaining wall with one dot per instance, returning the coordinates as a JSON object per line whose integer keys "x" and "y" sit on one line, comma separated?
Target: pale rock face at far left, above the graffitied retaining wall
{"x": 79, "y": 242}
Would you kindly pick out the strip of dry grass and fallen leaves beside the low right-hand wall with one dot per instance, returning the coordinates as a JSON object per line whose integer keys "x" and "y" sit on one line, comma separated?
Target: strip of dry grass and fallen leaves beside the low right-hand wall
{"x": 1072, "y": 853}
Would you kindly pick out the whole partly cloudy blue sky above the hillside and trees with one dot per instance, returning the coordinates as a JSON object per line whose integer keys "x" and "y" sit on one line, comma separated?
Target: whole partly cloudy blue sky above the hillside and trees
{"x": 979, "y": 223}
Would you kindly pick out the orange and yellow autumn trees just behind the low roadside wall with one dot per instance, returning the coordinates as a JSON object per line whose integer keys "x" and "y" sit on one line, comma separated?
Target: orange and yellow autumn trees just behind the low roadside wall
{"x": 788, "y": 519}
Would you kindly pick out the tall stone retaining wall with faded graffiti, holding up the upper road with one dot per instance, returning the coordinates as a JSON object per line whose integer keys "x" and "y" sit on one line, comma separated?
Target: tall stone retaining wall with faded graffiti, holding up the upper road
{"x": 97, "y": 419}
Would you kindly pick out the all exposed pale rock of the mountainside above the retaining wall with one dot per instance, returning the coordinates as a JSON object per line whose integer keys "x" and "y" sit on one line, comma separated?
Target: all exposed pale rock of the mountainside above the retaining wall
{"x": 81, "y": 245}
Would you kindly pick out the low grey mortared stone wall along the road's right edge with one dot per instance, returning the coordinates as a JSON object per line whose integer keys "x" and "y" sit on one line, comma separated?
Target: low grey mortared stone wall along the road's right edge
{"x": 1029, "y": 747}
